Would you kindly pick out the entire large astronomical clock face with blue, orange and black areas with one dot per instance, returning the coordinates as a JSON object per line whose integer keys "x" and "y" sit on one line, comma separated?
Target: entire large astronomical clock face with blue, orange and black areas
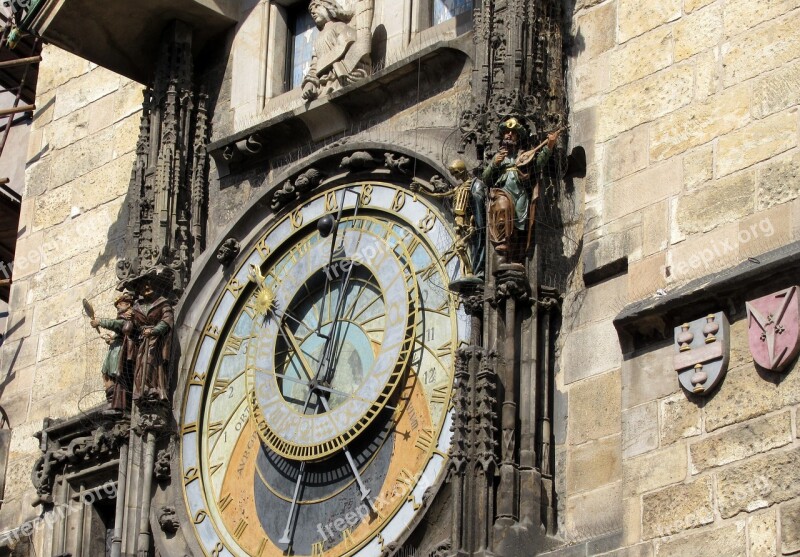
{"x": 317, "y": 413}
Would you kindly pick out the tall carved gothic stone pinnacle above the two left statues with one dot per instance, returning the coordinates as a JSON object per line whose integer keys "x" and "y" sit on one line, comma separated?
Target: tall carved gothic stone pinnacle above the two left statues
{"x": 168, "y": 190}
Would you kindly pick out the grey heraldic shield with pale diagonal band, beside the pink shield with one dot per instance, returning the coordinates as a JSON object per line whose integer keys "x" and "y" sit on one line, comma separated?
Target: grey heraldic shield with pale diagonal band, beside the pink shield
{"x": 702, "y": 351}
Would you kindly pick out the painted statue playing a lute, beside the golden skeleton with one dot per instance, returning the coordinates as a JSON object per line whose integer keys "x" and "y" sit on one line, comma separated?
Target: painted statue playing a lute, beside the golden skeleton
{"x": 512, "y": 200}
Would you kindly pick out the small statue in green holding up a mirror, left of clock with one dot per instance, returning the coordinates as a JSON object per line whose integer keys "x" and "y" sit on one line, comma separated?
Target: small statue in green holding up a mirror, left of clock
{"x": 117, "y": 367}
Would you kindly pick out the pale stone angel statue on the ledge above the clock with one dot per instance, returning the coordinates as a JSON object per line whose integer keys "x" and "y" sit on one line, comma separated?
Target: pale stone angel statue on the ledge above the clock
{"x": 342, "y": 47}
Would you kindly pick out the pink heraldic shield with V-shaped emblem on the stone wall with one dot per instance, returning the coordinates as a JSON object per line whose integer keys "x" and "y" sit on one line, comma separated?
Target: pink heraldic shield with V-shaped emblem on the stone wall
{"x": 774, "y": 329}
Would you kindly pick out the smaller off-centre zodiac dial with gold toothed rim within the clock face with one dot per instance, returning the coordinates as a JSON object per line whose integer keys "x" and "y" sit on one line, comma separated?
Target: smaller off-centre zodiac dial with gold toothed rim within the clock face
{"x": 325, "y": 360}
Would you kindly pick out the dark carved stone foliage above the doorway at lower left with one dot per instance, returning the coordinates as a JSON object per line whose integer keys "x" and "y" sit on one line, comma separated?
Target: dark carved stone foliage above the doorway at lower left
{"x": 79, "y": 449}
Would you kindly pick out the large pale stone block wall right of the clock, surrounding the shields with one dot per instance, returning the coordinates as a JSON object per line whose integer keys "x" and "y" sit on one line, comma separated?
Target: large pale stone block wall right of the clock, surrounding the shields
{"x": 688, "y": 113}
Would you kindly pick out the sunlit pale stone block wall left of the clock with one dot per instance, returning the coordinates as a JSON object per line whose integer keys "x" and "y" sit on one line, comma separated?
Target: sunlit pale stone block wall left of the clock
{"x": 73, "y": 217}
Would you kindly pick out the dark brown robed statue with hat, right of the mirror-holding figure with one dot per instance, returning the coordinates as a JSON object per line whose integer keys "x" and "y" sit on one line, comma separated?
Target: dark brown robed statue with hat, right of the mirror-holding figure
{"x": 154, "y": 321}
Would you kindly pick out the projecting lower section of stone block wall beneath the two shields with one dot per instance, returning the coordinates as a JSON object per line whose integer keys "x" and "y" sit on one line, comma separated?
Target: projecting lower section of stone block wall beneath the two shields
{"x": 722, "y": 468}
